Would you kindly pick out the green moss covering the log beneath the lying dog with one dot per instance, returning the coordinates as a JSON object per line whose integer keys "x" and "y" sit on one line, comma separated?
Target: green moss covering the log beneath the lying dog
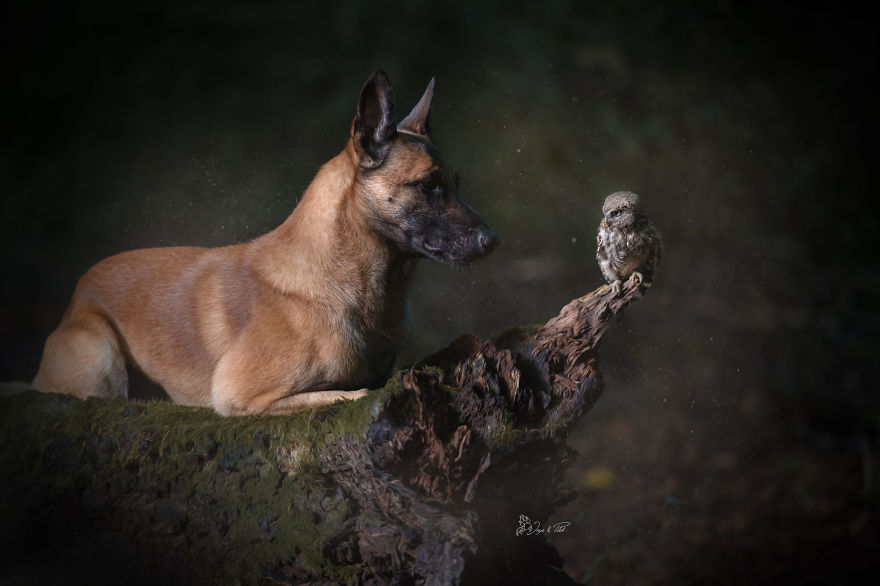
{"x": 254, "y": 482}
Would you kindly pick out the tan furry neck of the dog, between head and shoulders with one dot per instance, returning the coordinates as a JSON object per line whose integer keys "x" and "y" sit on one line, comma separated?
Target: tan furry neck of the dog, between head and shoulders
{"x": 326, "y": 252}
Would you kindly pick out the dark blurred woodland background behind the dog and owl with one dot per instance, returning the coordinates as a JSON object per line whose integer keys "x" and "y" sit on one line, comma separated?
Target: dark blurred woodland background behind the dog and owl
{"x": 737, "y": 439}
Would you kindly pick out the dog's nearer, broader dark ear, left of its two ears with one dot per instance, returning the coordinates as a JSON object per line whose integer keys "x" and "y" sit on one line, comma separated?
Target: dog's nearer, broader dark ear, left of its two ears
{"x": 373, "y": 126}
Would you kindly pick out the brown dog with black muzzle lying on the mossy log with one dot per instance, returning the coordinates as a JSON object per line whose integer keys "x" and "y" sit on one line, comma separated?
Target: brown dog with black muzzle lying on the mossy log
{"x": 285, "y": 321}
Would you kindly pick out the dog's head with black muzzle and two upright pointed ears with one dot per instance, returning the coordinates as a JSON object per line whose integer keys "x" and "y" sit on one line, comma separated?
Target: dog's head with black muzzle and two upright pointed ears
{"x": 409, "y": 194}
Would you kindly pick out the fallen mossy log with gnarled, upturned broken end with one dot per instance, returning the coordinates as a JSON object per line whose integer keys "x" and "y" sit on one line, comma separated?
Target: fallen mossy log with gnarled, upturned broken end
{"x": 420, "y": 482}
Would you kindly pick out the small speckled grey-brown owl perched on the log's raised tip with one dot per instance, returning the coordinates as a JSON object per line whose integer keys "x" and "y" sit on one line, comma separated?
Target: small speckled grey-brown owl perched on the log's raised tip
{"x": 628, "y": 243}
